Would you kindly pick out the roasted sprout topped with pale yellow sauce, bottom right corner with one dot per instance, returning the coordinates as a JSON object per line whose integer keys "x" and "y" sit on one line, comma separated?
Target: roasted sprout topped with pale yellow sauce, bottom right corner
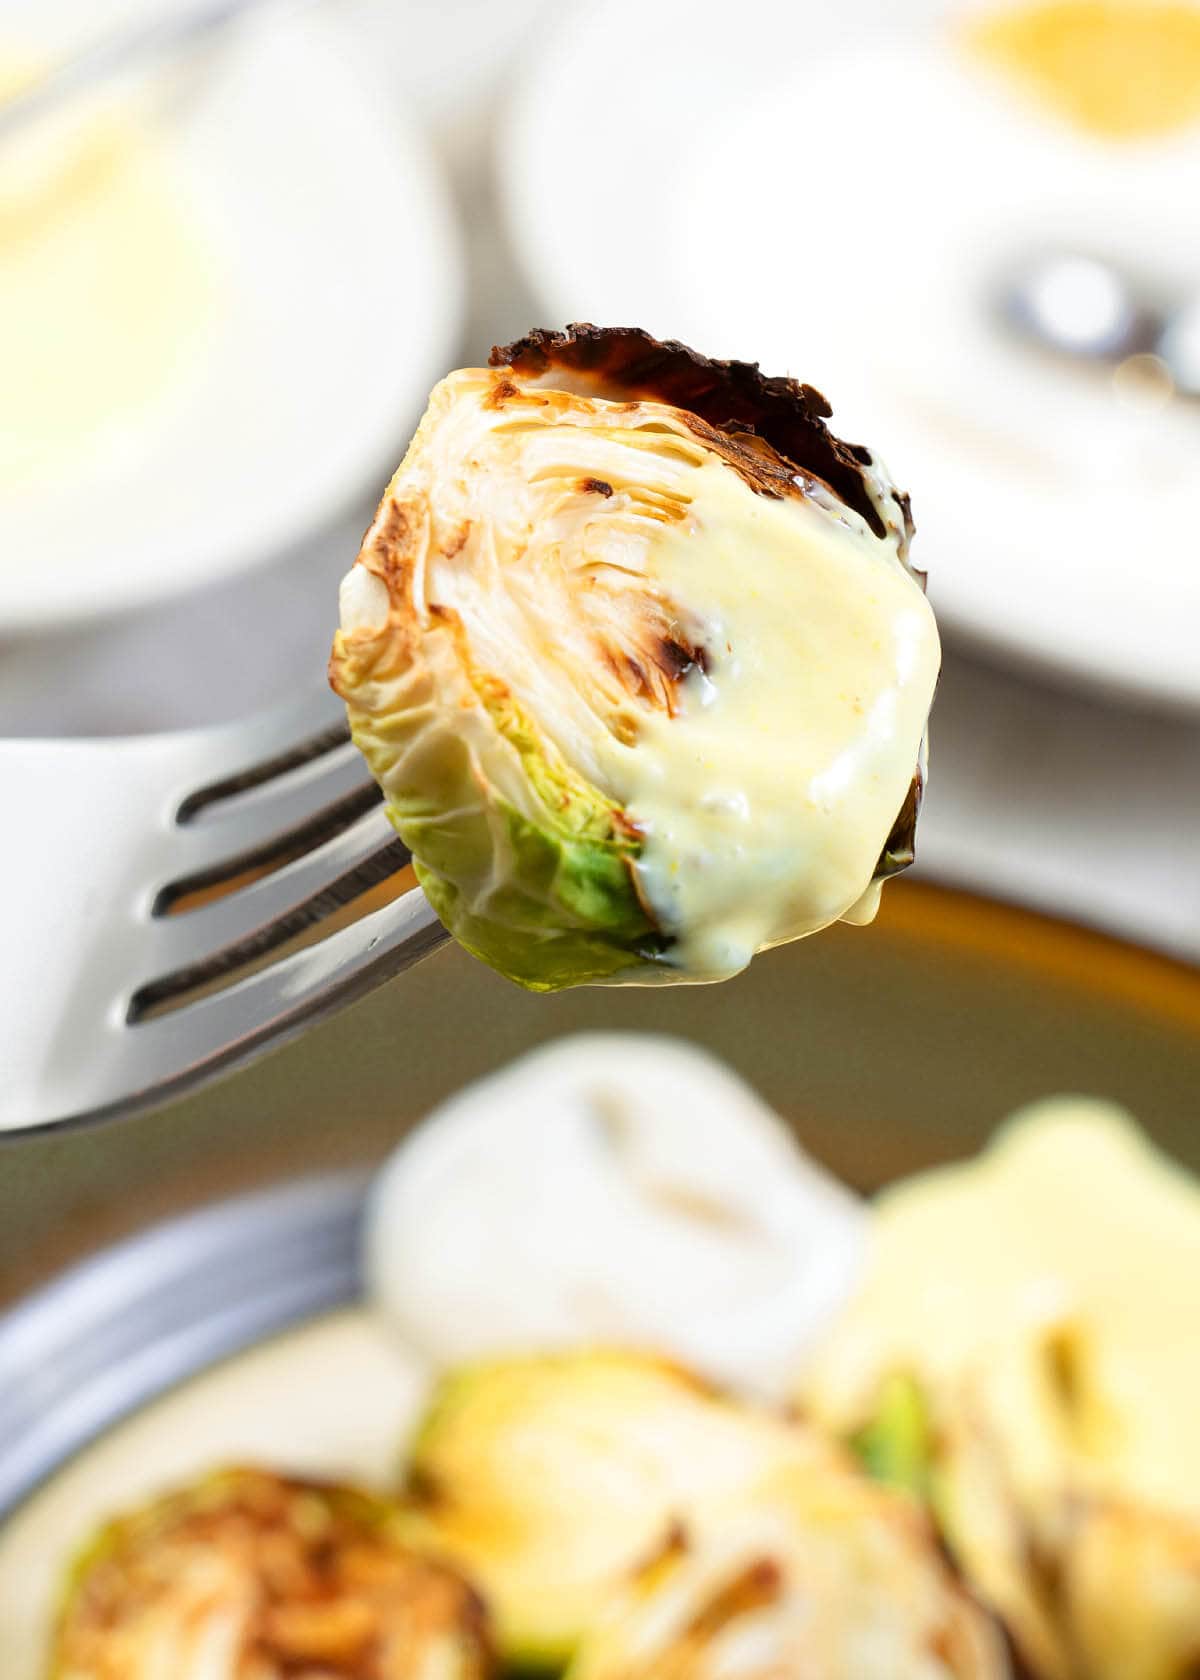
{"x": 1018, "y": 1355}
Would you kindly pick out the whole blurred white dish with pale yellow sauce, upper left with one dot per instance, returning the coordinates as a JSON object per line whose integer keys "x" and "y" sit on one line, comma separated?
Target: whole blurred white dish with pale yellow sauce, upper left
{"x": 150, "y": 419}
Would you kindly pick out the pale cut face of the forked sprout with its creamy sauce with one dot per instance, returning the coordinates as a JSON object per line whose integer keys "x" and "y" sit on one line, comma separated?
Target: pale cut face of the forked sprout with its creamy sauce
{"x": 769, "y": 789}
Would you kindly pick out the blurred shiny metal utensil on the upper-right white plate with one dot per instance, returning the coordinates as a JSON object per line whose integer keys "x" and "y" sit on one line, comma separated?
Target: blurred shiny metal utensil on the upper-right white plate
{"x": 1085, "y": 308}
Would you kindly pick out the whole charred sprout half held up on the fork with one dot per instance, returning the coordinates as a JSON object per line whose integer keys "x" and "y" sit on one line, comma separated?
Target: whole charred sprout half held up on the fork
{"x": 638, "y": 658}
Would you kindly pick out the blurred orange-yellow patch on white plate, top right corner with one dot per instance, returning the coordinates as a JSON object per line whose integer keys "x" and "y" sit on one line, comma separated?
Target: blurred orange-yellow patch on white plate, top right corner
{"x": 1115, "y": 68}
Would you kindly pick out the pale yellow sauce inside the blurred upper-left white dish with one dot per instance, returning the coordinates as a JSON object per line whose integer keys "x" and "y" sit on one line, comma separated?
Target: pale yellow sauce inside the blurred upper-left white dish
{"x": 103, "y": 286}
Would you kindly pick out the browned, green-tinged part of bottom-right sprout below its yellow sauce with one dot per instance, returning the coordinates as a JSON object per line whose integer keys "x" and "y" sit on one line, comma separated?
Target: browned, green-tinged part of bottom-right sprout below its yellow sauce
{"x": 1090, "y": 1587}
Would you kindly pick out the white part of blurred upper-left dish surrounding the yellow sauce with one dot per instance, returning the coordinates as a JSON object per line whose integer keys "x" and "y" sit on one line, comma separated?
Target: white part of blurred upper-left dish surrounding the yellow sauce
{"x": 332, "y": 302}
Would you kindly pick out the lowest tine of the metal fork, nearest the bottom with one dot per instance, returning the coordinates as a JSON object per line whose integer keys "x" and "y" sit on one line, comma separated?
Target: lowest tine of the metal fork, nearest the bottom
{"x": 273, "y": 1005}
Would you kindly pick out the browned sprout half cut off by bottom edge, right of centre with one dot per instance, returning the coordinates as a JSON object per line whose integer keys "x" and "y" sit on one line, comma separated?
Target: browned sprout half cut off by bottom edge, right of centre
{"x": 814, "y": 1573}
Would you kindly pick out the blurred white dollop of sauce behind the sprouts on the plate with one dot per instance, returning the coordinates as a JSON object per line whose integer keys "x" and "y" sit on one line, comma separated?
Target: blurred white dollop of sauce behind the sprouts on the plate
{"x": 490, "y": 1229}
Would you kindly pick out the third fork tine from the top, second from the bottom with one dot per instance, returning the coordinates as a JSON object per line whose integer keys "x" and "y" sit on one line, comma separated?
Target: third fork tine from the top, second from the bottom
{"x": 179, "y": 942}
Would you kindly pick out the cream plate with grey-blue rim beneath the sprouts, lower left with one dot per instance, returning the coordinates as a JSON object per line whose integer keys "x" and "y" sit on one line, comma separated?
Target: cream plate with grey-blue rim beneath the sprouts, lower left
{"x": 204, "y": 1341}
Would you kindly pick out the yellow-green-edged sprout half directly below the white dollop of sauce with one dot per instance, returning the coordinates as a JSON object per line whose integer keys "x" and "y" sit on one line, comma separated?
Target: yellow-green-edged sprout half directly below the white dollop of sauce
{"x": 549, "y": 1479}
